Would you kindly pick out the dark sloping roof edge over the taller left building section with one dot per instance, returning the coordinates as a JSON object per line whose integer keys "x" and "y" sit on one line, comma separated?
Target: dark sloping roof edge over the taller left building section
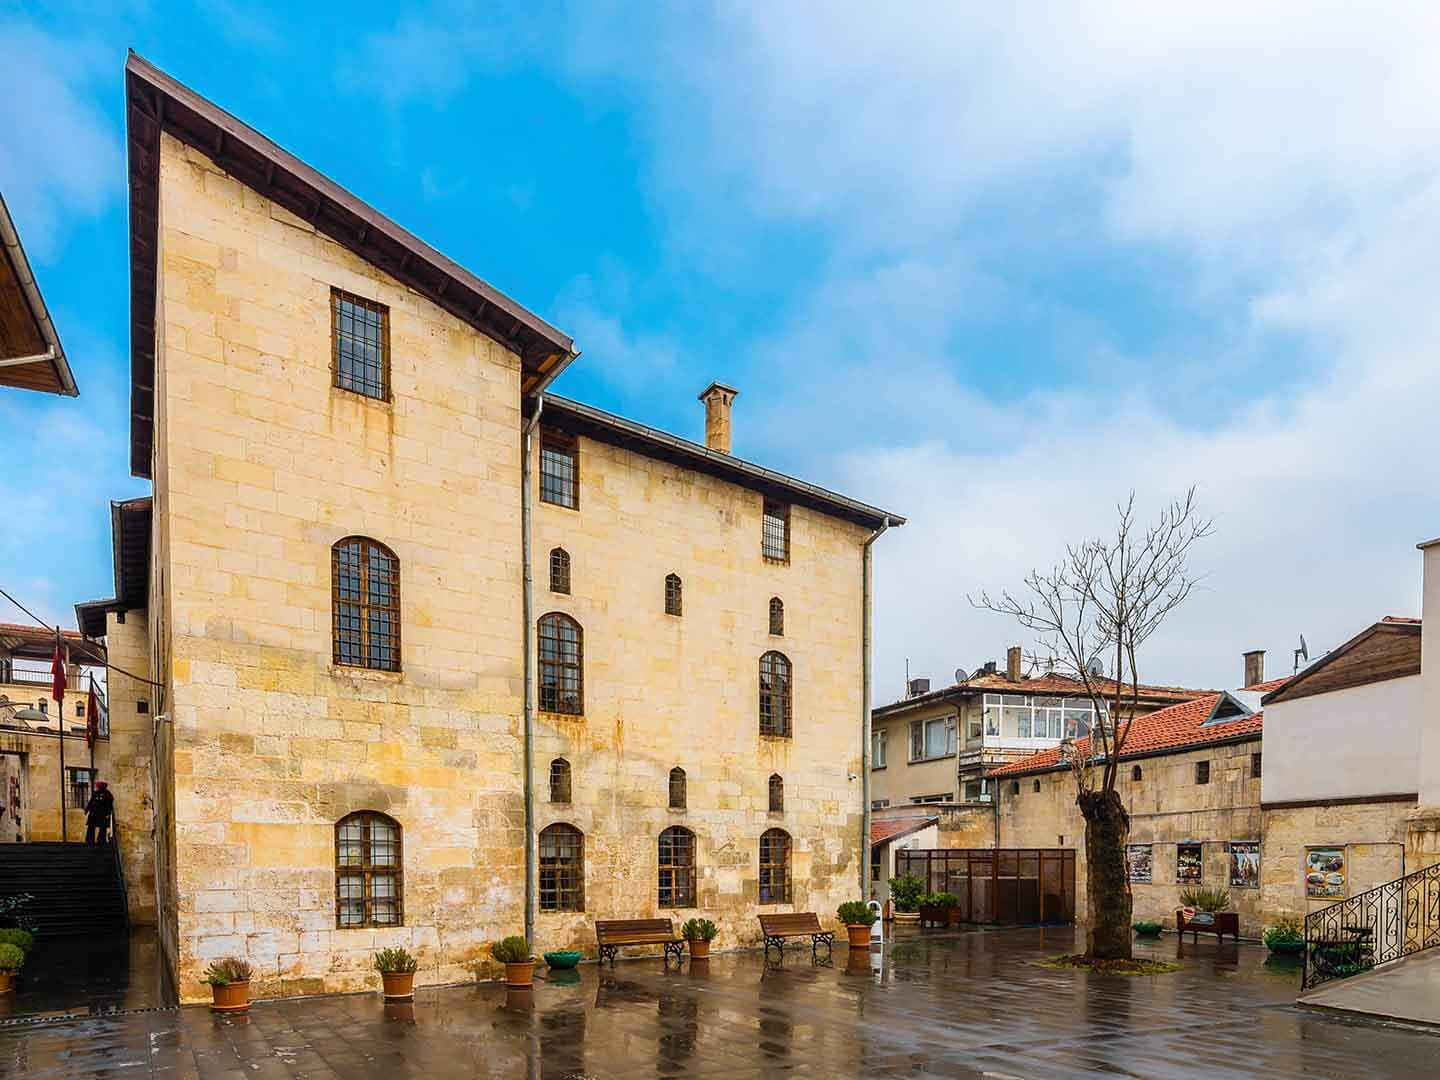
{"x": 158, "y": 103}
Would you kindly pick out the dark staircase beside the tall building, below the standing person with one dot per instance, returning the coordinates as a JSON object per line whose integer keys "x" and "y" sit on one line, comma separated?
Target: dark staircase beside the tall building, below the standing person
{"x": 77, "y": 889}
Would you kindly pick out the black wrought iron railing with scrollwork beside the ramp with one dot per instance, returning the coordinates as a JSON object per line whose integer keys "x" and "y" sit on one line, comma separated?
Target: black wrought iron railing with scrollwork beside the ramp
{"x": 1380, "y": 925}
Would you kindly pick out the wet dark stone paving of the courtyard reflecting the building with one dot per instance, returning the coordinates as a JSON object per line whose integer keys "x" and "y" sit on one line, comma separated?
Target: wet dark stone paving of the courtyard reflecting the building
{"x": 960, "y": 1006}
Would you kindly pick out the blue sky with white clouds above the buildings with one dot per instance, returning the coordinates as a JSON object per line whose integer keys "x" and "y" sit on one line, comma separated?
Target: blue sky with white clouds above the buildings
{"x": 993, "y": 270}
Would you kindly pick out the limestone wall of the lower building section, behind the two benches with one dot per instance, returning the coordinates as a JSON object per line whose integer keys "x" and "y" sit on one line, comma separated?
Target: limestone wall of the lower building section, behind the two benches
{"x": 665, "y": 692}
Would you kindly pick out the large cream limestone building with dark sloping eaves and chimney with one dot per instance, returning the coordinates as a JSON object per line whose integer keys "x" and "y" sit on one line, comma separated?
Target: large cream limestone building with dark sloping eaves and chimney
{"x": 433, "y": 656}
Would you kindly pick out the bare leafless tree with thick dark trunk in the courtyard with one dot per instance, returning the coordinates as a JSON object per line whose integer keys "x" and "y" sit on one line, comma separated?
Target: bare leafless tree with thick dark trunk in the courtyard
{"x": 1102, "y": 603}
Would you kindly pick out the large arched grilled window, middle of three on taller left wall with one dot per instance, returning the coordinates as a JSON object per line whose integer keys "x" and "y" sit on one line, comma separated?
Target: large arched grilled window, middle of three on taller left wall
{"x": 365, "y": 584}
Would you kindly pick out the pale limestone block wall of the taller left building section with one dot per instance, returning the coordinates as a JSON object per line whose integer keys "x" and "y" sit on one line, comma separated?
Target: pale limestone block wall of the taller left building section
{"x": 261, "y": 467}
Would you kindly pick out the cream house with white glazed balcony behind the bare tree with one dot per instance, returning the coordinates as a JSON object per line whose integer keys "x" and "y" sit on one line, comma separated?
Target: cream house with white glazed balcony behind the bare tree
{"x": 940, "y": 747}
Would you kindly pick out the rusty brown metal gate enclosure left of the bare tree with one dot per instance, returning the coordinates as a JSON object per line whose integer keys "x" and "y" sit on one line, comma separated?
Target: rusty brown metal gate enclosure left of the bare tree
{"x": 1000, "y": 885}
